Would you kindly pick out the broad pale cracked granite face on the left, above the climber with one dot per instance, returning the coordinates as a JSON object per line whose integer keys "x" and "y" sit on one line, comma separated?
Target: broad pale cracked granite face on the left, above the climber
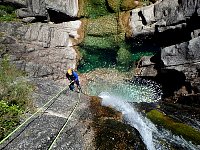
{"x": 42, "y": 50}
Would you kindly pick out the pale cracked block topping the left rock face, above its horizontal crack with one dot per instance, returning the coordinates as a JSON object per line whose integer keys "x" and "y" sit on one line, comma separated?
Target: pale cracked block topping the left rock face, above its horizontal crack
{"x": 54, "y": 35}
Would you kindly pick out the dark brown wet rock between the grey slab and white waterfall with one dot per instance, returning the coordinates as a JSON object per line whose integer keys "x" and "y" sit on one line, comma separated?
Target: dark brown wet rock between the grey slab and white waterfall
{"x": 110, "y": 132}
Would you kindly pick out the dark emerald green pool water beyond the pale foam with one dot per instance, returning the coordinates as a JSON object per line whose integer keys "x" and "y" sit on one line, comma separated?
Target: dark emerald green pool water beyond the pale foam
{"x": 102, "y": 58}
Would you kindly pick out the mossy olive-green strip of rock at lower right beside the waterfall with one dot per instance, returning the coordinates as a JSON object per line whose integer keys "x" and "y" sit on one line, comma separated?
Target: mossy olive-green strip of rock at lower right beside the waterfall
{"x": 178, "y": 128}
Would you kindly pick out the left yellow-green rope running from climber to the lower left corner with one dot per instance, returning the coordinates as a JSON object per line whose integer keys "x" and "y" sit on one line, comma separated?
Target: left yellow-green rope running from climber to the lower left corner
{"x": 41, "y": 108}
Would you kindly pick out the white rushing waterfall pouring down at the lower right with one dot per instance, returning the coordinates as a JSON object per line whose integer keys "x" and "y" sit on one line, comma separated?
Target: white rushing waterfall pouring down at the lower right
{"x": 152, "y": 137}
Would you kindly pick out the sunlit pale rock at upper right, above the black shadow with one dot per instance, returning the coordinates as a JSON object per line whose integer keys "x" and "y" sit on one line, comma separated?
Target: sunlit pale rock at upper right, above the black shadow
{"x": 162, "y": 16}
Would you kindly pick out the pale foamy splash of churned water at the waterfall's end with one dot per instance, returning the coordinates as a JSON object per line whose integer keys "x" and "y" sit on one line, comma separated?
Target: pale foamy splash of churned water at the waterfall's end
{"x": 137, "y": 90}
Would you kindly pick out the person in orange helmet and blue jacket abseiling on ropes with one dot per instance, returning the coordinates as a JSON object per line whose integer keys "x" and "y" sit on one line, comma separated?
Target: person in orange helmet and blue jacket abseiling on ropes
{"x": 72, "y": 76}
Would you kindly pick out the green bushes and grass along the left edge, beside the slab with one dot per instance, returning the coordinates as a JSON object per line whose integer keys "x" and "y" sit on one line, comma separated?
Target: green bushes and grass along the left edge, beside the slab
{"x": 14, "y": 98}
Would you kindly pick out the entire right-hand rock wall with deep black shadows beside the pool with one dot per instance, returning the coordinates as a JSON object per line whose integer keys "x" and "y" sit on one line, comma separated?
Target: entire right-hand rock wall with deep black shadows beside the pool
{"x": 174, "y": 26}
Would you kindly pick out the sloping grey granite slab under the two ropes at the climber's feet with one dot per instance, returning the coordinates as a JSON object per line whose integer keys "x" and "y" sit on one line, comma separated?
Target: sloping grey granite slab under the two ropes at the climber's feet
{"x": 42, "y": 129}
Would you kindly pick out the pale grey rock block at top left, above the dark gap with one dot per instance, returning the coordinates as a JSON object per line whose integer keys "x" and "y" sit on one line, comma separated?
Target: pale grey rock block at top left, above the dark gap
{"x": 39, "y": 8}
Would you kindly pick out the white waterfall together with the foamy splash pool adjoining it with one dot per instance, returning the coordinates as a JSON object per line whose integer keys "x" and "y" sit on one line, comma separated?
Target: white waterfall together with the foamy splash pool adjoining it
{"x": 123, "y": 95}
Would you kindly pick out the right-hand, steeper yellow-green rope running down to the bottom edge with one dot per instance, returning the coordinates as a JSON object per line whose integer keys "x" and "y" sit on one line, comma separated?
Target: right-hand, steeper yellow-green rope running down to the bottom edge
{"x": 68, "y": 118}
